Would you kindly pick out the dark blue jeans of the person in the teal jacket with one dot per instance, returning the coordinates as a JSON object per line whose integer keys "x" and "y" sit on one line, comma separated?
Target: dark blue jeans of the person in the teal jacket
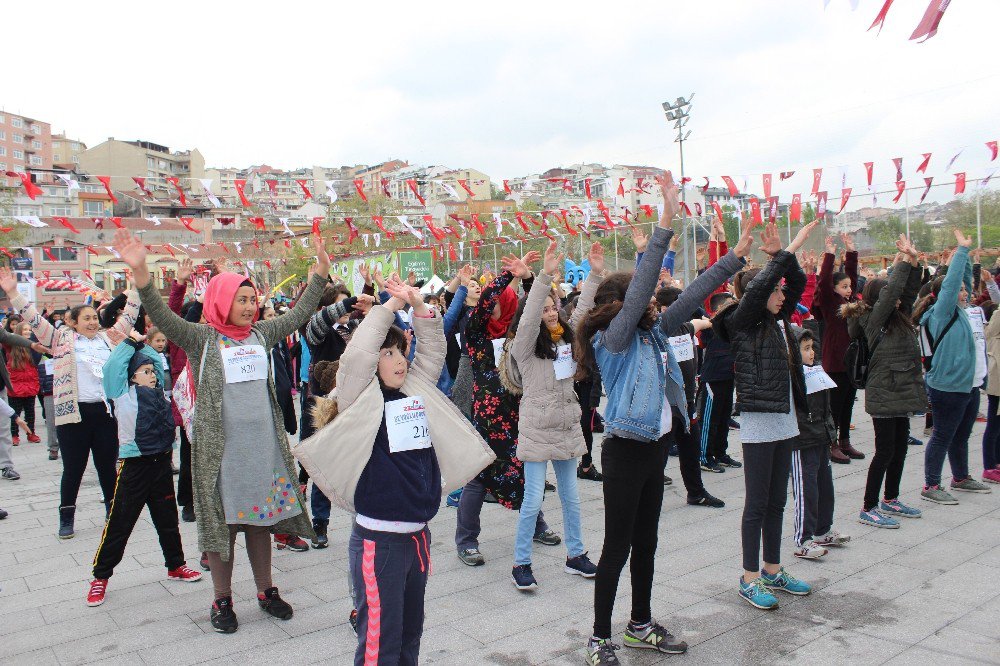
{"x": 954, "y": 416}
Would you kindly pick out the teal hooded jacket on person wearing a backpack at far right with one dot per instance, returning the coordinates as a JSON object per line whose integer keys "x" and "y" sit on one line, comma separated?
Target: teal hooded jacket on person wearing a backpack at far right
{"x": 954, "y": 366}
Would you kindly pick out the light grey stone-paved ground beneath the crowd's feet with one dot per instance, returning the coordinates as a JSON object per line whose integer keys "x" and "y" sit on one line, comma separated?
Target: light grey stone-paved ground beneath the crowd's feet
{"x": 926, "y": 593}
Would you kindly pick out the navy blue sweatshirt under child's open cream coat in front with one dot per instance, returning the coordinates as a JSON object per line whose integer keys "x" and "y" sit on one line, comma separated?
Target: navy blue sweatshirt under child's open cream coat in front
{"x": 403, "y": 486}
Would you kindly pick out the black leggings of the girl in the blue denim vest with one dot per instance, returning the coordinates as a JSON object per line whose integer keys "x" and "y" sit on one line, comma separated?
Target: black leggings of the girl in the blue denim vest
{"x": 633, "y": 494}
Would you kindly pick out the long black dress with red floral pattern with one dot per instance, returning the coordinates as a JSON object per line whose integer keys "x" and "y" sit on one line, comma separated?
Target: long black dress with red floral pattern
{"x": 494, "y": 410}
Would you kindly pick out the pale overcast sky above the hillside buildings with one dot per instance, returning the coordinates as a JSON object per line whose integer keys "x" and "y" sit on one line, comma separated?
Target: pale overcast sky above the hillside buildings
{"x": 515, "y": 88}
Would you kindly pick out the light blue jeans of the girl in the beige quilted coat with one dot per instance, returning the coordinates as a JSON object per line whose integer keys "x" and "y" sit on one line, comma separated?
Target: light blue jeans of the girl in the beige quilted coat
{"x": 534, "y": 490}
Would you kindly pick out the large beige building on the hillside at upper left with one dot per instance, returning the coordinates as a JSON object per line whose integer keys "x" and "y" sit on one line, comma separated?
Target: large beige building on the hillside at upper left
{"x": 123, "y": 160}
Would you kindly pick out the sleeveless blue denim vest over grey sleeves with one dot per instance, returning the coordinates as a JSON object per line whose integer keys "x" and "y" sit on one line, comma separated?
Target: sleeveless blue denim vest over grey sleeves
{"x": 637, "y": 385}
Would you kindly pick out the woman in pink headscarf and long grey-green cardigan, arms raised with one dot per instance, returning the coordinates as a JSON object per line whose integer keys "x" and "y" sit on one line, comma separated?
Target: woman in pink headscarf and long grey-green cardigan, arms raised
{"x": 242, "y": 469}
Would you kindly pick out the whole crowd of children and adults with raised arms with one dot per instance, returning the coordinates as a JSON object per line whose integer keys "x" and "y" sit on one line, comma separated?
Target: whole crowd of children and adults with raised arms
{"x": 475, "y": 392}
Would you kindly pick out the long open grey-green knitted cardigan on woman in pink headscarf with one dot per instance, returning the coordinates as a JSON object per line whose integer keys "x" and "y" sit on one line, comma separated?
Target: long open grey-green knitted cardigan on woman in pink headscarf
{"x": 209, "y": 438}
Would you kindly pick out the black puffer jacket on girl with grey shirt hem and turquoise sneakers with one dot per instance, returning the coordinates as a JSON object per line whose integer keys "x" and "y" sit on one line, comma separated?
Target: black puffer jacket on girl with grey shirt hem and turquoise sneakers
{"x": 762, "y": 364}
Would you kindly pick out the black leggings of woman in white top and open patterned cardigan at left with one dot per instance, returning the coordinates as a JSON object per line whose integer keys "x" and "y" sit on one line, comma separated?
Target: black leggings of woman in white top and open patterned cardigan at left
{"x": 95, "y": 435}
